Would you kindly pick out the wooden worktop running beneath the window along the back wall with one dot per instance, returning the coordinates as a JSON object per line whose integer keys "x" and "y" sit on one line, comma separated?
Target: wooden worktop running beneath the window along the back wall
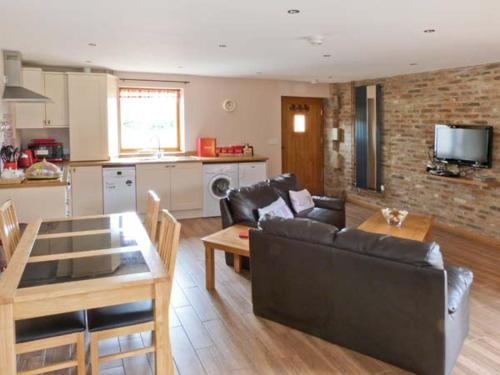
{"x": 169, "y": 159}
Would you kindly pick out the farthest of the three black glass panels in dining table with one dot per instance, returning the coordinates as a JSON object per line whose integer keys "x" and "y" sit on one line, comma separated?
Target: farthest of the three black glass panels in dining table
{"x": 81, "y": 225}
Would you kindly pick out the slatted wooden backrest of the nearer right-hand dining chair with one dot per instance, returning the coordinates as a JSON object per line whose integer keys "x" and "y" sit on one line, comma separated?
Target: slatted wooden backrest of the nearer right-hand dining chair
{"x": 170, "y": 230}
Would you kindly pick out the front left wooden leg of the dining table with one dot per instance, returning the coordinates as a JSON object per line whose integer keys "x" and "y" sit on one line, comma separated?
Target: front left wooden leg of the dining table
{"x": 7, "y": 341}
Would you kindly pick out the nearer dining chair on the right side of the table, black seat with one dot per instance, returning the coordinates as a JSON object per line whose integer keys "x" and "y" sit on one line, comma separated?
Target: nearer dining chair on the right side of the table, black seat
{"x": 131, "y": 318}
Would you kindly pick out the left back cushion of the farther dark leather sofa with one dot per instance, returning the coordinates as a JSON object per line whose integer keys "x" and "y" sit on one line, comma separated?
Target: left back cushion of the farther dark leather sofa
{"x": 245, "y": 202}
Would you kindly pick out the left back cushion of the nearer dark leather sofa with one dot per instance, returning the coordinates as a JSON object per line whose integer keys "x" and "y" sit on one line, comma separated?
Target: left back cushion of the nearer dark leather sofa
{"x": 299, "y": 229}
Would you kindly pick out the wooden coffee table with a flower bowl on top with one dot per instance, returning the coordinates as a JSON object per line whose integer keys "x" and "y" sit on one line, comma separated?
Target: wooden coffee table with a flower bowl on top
{"x": 415, "y": 227}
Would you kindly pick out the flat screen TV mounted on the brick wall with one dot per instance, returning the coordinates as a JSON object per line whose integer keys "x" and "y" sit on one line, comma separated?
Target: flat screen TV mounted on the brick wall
{"x": 463, "y": 145}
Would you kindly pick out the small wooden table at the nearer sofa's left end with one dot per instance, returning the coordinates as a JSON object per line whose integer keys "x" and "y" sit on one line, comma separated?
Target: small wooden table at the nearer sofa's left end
{"x": 226, "y": 240}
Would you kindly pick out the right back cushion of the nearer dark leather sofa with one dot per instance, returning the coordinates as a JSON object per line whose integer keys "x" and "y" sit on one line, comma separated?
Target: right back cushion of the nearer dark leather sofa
{"x": 401, "y": 250}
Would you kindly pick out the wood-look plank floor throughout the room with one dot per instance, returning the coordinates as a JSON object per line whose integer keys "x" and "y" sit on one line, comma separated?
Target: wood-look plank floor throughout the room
{"x": 217, "y": 333}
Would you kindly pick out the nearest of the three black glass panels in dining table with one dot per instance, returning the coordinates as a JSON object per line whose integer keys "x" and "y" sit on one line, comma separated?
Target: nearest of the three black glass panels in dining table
{"x": 65, "y": 270}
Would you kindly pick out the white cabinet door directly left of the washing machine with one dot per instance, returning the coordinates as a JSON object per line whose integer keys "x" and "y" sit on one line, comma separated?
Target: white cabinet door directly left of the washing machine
{"x": 186, "y": 186}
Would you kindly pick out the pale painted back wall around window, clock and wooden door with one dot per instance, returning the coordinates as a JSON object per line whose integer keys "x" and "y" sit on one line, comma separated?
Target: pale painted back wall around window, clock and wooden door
{"x": 256, "y": 120}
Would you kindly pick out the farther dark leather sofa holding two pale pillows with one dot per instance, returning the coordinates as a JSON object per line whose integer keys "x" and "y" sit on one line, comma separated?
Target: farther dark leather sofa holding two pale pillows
{"x": 240, "y": 205}
